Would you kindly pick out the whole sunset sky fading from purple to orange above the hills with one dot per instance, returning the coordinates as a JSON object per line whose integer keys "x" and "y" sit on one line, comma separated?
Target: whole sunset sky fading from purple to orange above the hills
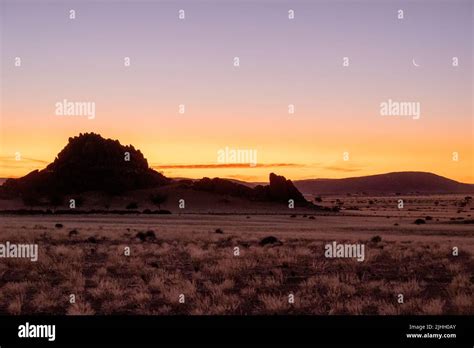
{"x": 336, "y": 130}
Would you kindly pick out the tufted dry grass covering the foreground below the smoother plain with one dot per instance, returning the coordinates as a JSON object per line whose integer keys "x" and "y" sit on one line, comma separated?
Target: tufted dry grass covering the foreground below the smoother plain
{"x": 202, "y": 267}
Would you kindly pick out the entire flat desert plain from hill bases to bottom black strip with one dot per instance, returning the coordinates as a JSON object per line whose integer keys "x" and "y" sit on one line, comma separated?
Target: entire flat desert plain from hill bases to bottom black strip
{"x": 202, "y": 262}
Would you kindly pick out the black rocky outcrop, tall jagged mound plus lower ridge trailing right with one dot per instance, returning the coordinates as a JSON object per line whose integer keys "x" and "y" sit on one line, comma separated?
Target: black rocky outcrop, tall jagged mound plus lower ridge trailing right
{"x": 90, "y": 162}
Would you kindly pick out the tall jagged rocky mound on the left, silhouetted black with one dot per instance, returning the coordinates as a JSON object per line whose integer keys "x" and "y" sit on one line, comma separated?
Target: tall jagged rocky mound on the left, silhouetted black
{"x": 89, "y": 163}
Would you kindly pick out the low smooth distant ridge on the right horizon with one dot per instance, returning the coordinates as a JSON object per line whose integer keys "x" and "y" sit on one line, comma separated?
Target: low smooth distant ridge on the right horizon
{"x": 389, "y": 183}
